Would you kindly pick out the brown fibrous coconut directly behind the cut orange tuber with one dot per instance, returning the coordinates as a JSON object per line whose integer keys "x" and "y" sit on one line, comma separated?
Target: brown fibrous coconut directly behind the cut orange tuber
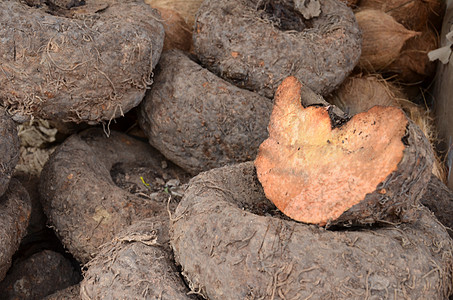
{"x": 360, "y": 93}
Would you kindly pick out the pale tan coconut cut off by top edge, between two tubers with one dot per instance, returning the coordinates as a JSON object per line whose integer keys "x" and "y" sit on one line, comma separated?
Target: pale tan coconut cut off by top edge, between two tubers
{"x": 186, "y": 8}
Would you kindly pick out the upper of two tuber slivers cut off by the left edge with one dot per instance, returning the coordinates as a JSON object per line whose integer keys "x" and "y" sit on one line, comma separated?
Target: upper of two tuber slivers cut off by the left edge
{"x": 9, "y": 149}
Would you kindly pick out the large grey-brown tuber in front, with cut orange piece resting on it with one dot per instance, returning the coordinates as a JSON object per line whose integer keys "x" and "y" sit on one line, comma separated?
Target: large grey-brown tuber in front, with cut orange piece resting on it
{"x": 232, "y": 244}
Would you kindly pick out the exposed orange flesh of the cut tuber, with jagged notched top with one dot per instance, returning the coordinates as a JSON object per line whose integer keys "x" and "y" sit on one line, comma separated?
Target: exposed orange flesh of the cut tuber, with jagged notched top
{"x": 314, "y": 173}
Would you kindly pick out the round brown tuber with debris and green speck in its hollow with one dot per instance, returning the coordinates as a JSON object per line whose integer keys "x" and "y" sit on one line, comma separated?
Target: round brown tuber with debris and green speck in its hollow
{"x": 81, "y": 193}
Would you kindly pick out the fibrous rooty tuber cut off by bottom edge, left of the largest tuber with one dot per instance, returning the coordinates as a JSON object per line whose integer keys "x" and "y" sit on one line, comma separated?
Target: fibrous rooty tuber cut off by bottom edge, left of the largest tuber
{"x": 142, "y": 268}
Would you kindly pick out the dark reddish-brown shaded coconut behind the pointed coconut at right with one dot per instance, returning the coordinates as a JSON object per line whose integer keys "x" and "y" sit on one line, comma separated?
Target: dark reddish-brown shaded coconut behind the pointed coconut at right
{"x": 413, "y": 64}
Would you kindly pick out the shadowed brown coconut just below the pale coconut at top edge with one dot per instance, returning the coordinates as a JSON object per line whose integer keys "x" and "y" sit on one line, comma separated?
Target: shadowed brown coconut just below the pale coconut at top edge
{"x": 178, "y": 34}
